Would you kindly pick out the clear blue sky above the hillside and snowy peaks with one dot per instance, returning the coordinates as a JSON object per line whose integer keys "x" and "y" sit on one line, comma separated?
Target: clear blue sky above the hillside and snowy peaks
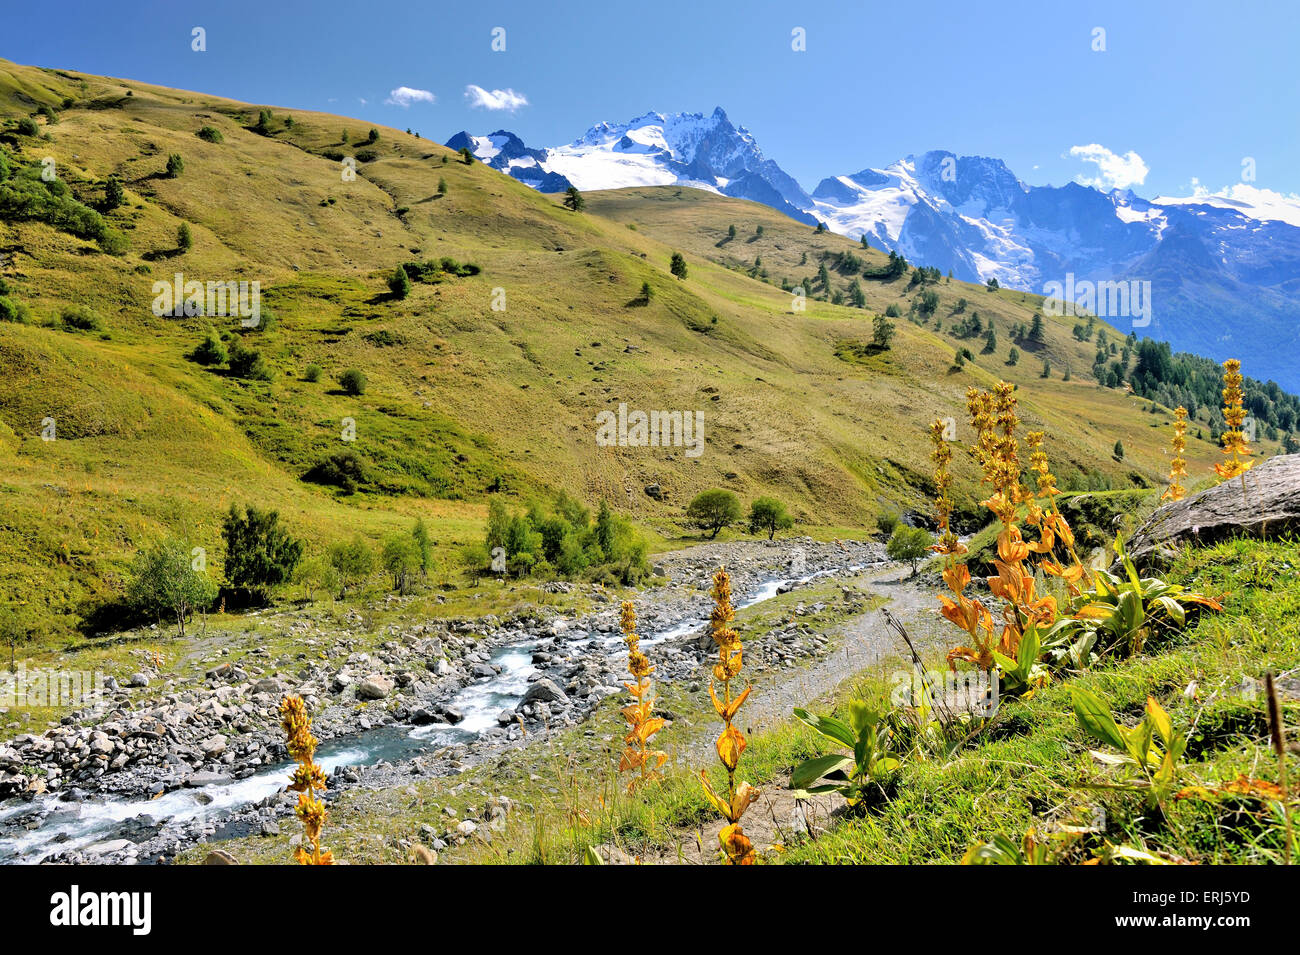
{"x": 1190, "y": 89}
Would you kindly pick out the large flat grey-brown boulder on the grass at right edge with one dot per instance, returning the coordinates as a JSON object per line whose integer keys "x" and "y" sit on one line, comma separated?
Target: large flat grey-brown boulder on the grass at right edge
{"x": 1269, "y": 507}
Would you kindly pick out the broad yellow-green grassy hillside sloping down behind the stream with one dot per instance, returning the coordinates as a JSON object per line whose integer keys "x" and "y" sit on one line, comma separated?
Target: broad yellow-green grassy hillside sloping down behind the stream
{"x": 462, "y": 398}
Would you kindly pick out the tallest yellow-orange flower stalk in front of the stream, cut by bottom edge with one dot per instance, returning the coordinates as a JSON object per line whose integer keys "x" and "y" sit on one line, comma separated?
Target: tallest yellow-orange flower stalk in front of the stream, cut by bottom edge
{"x": 731, "y": 744}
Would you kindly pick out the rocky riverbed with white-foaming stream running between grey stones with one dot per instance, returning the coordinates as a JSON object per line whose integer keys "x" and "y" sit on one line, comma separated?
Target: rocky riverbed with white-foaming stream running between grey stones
{"x": 159, "y": 769}
